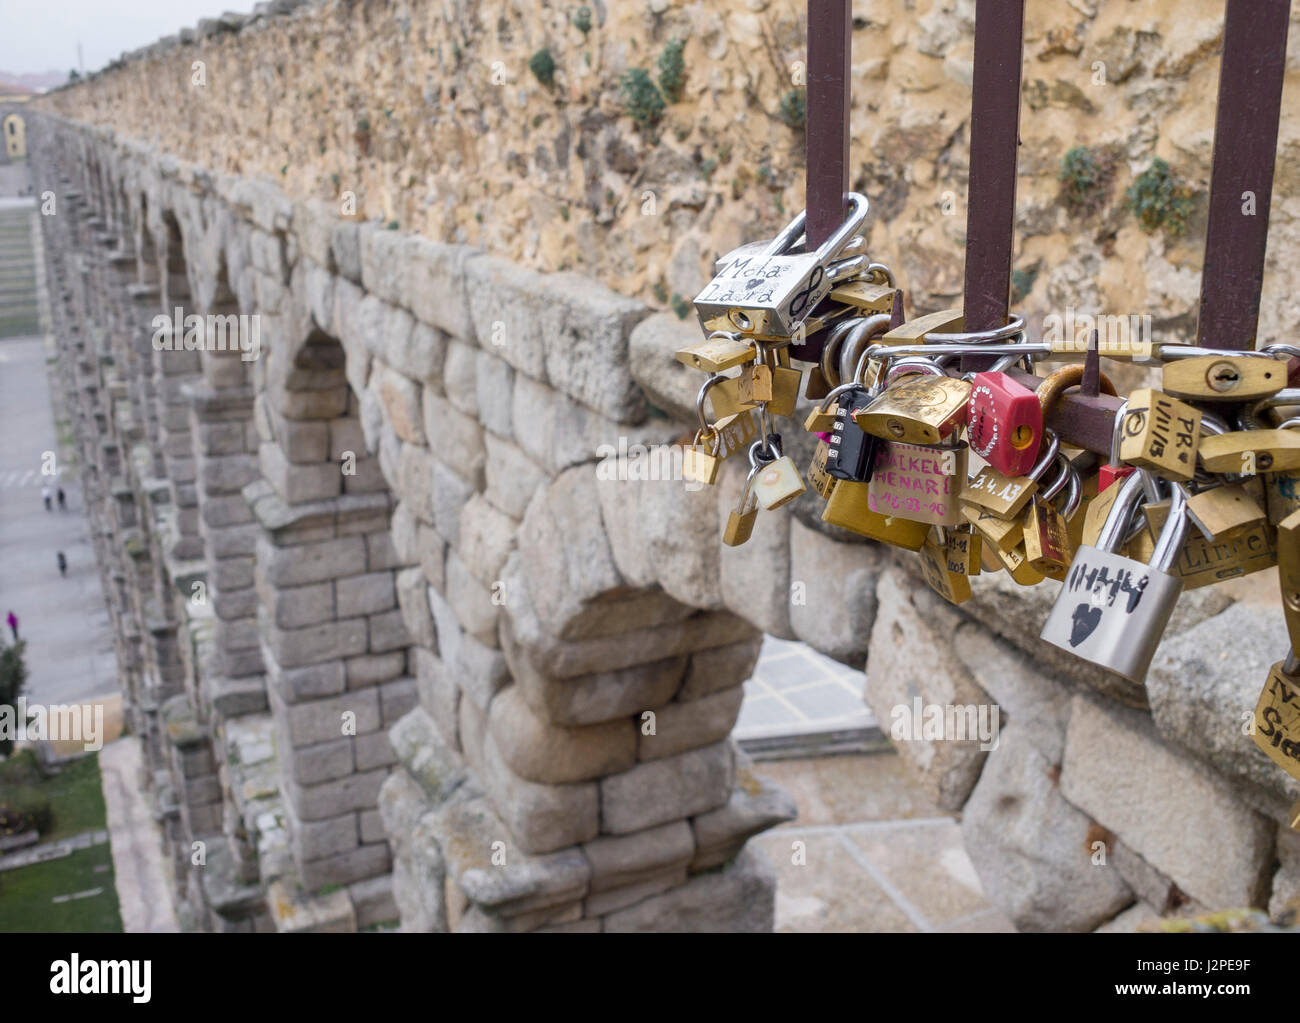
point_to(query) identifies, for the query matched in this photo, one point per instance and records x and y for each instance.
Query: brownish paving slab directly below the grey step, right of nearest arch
(850, 790)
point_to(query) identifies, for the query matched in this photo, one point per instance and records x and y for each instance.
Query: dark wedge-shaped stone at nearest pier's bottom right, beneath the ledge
(738, 900)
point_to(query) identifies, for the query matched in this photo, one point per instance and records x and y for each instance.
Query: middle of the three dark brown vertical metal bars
(995, 129)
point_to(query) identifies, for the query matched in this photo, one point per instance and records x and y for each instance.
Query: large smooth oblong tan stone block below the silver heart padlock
(1177, 816)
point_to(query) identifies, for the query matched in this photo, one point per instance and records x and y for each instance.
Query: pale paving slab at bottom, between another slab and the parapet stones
(926, 866)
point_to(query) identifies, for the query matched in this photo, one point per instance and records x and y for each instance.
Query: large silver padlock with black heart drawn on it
(1113, 610)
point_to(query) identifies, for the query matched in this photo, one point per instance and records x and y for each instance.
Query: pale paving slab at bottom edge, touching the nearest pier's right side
(830, 891)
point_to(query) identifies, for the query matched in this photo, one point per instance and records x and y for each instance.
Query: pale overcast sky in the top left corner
(42, 36)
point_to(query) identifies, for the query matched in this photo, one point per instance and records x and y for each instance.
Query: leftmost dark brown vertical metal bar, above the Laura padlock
(827, 119)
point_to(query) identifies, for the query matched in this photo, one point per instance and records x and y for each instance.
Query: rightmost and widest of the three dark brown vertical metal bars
(1246, 144)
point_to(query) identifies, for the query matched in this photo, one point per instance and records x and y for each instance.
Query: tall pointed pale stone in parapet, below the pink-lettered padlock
(912, 660)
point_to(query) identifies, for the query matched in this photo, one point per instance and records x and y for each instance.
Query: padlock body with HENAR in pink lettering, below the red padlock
(920, 483)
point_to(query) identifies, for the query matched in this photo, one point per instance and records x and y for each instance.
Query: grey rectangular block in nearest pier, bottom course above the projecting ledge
(662, 791)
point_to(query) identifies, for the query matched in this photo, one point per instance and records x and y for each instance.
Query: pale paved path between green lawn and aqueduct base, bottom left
(142, 886)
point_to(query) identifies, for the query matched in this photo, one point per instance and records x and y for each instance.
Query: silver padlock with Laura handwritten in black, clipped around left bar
(769, 294)
